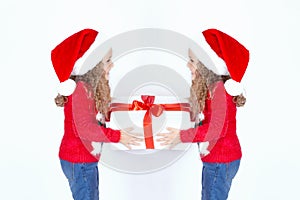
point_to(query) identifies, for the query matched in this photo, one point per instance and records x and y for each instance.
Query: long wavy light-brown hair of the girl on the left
(98, 85)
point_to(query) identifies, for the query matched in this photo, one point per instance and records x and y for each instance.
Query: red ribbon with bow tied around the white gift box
(151, 109)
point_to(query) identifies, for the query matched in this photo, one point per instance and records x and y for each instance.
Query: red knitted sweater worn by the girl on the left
(81, 129)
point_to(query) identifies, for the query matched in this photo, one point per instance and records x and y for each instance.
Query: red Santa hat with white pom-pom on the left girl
(65, 55)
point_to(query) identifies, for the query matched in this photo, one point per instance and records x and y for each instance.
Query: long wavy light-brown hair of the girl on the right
(202, 85)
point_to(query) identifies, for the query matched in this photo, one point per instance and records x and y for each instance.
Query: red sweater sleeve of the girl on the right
(215, 122)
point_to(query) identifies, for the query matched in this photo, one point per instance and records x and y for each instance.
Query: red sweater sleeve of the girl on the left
(84, 117)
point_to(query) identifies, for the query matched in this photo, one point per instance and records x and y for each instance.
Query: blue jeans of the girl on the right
(217, 179)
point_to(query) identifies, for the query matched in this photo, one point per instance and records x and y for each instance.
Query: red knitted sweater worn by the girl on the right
(224, 145)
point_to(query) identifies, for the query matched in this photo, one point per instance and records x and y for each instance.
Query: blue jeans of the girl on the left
(83, 179)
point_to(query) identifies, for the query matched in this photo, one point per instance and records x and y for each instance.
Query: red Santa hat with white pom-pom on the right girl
(234, 54)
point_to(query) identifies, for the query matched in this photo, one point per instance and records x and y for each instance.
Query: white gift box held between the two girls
(134, 119)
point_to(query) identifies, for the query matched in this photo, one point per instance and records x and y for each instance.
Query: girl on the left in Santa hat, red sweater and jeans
(81, 144)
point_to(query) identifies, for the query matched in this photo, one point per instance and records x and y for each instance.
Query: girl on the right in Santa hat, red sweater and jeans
(221, 159)
